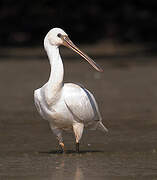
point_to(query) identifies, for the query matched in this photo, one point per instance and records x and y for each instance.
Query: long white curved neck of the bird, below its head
(55, 82)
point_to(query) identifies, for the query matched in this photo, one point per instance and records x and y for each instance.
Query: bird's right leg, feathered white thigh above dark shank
(78, 130)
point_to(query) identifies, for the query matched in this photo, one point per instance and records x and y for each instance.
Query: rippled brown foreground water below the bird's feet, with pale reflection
(93, 165)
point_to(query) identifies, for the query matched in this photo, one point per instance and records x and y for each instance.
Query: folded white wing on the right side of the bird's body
(81, 103)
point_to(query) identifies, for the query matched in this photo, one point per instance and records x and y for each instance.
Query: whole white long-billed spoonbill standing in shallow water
(66, 106)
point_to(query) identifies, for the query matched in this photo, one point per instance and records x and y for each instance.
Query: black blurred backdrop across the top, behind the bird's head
(26, 23)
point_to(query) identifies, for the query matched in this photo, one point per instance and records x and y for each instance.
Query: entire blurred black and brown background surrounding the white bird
(120, 35)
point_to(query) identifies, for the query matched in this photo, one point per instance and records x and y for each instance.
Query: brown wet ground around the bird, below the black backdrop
(126, 93)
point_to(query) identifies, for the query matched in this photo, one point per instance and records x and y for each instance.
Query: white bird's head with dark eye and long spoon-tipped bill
(57, 37)
